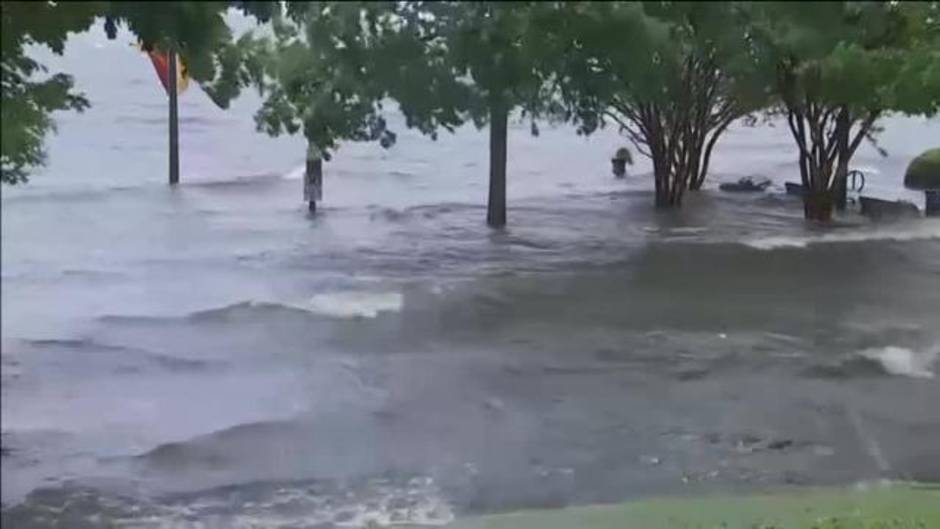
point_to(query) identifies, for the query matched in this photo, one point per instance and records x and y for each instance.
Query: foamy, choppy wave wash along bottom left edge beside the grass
(378, 502)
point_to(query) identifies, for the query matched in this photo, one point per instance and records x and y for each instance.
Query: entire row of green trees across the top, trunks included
(671, 76)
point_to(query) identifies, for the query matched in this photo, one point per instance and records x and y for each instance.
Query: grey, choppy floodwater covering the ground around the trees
(211, 356)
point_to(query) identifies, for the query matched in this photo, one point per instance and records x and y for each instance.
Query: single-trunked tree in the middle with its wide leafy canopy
(330, 67)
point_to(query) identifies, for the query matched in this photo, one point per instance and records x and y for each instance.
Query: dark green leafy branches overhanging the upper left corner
(197, 30)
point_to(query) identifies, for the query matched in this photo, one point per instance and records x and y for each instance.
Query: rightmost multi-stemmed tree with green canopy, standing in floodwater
(834, 69)
